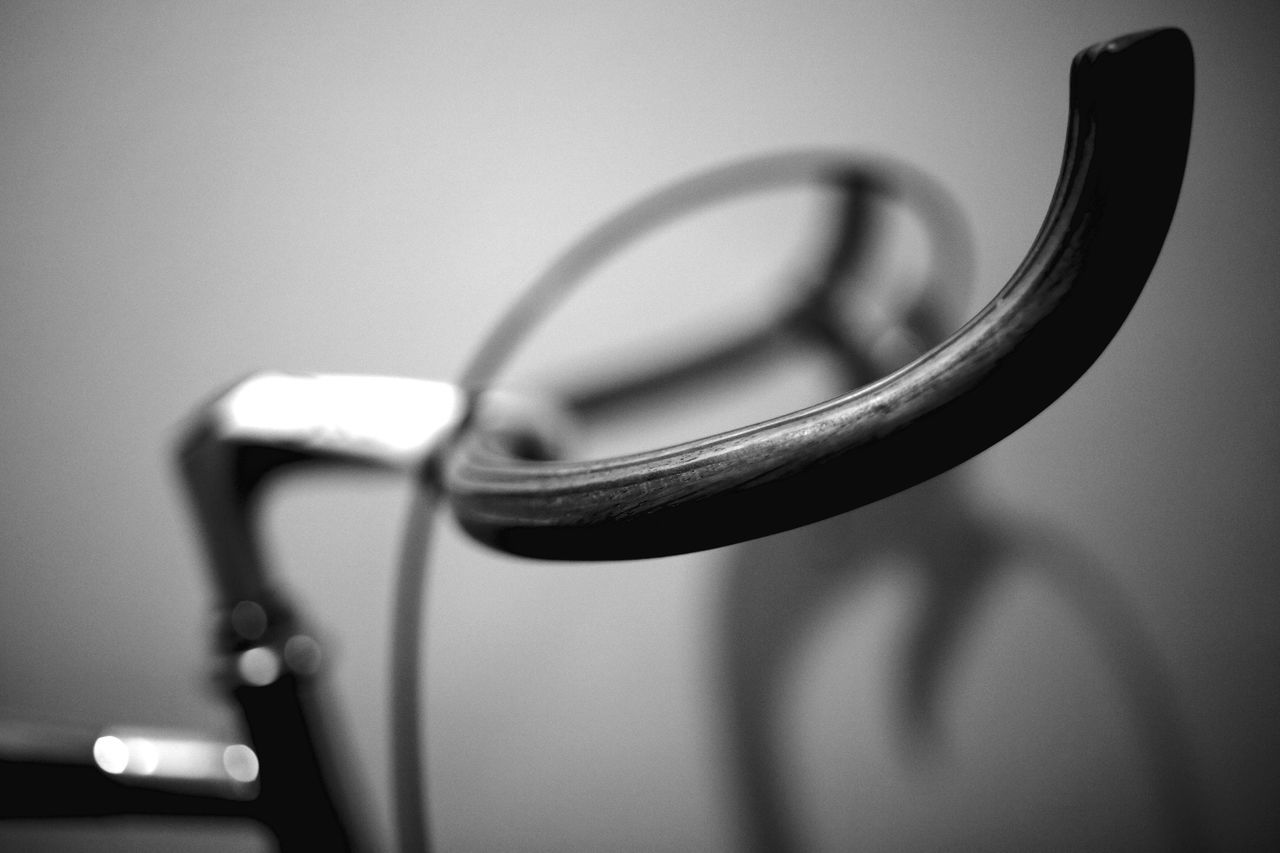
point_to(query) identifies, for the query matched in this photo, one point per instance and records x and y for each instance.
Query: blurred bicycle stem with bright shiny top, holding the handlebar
(275, 423)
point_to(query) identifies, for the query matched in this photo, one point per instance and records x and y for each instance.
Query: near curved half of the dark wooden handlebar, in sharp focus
(1130, 129)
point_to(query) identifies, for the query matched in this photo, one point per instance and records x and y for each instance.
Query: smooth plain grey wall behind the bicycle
(190, 193)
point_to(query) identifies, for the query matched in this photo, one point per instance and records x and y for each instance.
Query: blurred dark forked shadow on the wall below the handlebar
(779, 587)
